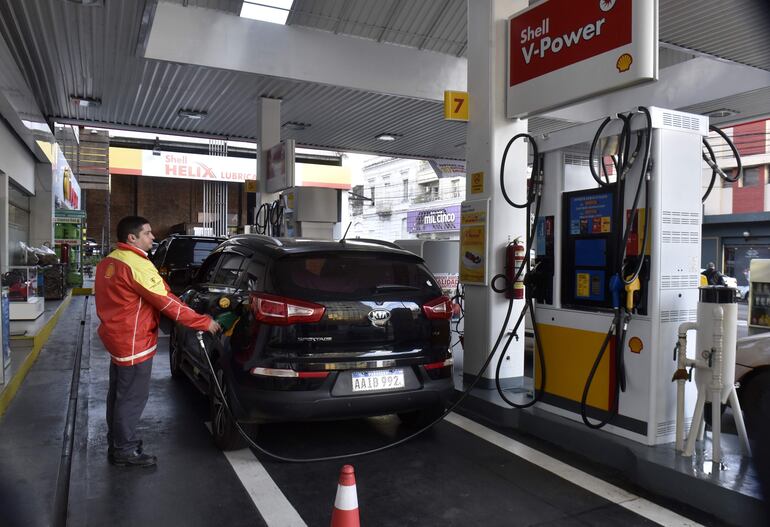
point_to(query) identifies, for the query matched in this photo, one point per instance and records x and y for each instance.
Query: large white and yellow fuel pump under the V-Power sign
(578, 246)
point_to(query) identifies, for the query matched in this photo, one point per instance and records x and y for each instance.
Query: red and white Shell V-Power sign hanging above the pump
(564, 51)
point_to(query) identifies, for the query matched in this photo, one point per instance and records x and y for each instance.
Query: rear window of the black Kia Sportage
(346, 276)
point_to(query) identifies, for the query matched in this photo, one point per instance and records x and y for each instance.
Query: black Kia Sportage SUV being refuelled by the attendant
(317, 330)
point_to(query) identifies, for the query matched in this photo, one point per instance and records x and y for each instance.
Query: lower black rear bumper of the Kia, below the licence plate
(256, 405)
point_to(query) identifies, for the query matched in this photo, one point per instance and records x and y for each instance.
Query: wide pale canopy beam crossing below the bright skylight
(218, 40)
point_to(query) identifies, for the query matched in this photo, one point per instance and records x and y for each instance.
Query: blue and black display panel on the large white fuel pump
(588, 248)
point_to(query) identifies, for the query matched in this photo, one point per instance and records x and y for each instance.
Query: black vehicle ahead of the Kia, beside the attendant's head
(179, 257)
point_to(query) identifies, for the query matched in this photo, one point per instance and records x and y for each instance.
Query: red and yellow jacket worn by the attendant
(130, 297)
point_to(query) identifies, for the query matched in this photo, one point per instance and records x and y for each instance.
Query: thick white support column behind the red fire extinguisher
(488, 133)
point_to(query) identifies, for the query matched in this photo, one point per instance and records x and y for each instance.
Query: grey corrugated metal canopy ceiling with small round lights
(64, 50)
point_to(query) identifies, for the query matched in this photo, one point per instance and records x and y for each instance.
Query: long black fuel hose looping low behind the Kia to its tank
(364, 452)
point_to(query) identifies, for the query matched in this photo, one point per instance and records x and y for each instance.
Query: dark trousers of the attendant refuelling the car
(126, 399)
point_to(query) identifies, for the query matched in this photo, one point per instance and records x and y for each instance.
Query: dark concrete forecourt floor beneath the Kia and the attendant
(447, 476)
